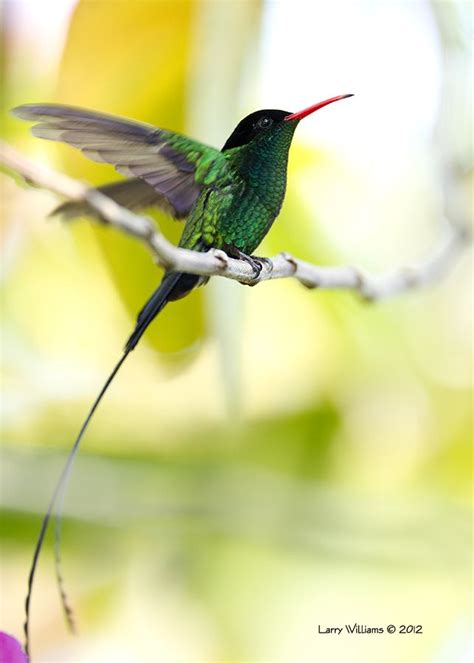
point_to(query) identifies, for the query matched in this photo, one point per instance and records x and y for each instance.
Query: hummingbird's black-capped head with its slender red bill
(266, 123)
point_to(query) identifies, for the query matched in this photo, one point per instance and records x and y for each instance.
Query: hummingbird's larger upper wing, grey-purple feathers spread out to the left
(175, 166)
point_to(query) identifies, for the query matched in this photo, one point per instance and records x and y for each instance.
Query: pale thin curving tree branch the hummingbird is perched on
(216, 263)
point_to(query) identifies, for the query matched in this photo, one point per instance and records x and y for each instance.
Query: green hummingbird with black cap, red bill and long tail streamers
(228, 198)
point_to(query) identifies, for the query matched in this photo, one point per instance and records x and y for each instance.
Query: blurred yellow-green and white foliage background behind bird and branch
(311, 463)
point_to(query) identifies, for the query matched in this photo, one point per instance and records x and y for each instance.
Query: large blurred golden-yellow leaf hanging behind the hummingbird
(144, 55)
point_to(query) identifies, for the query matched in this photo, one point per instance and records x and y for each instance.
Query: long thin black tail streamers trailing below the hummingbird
(57, 499)
